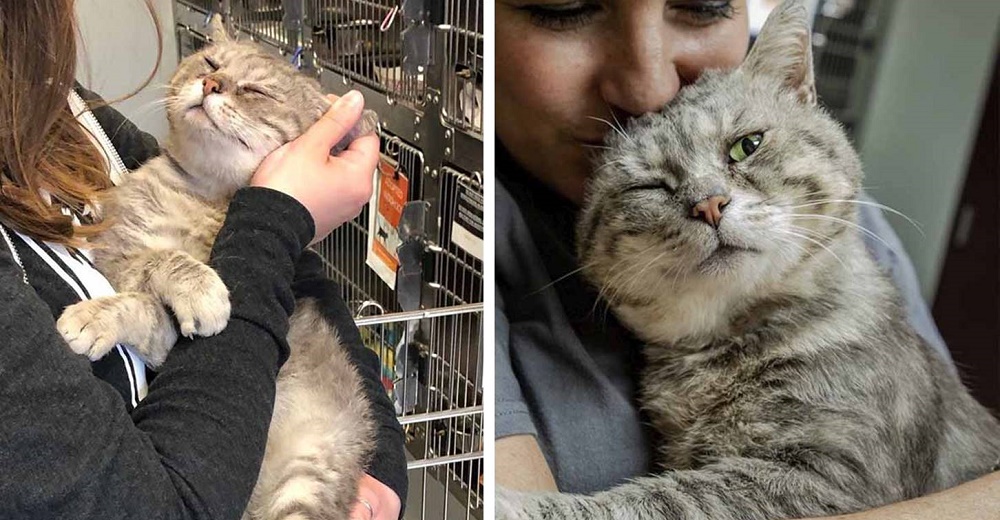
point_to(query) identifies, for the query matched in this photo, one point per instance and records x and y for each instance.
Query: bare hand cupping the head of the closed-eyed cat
(332, 188)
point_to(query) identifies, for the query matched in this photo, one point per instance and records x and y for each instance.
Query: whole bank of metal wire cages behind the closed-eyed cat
(419, 65)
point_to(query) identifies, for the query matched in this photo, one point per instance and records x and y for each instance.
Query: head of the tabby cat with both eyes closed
(234, 103)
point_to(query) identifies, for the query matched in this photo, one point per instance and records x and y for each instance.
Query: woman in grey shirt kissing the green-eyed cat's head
(567, 73)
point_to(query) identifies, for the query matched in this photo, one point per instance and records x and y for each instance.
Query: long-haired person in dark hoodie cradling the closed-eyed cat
(108, 439)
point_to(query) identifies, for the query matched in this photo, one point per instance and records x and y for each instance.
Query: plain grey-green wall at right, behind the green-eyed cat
(923, 118)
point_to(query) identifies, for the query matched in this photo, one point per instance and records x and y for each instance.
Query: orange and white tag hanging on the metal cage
(392, 189)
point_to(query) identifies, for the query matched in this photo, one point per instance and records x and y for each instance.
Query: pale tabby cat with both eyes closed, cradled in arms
(229, 106)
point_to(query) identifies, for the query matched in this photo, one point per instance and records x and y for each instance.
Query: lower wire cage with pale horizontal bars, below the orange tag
(436, 372)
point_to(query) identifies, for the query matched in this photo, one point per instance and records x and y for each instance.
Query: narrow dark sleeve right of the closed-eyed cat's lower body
(388, 464)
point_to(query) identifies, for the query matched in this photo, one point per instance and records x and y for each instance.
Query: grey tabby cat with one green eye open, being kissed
(781, 370)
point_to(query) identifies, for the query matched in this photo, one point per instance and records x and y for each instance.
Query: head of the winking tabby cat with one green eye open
(734, 184)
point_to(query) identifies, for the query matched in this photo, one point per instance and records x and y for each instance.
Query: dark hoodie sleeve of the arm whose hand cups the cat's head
(192, 448)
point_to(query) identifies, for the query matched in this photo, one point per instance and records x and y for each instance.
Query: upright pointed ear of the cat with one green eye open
(783, 49)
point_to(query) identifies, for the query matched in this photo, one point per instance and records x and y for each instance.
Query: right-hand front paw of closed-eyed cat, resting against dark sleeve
(203, 308)
